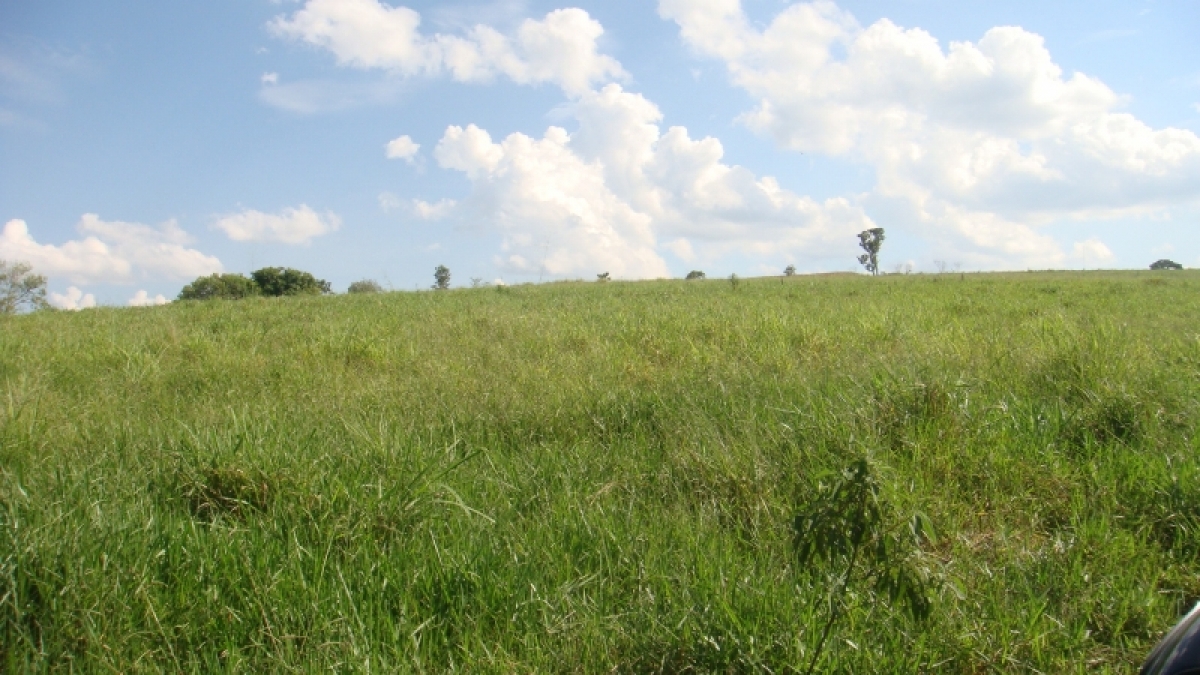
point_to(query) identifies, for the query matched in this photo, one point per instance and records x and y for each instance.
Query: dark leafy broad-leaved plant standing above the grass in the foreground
(850, 529)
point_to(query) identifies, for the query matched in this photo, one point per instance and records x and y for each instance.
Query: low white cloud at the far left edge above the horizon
(111, 253)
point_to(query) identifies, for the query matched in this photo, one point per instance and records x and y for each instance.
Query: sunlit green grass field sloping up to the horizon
(601, 477)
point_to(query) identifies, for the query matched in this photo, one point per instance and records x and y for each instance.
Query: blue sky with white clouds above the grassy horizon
(147, 144)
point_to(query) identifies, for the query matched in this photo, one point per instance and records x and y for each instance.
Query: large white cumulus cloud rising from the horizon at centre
(603, 198)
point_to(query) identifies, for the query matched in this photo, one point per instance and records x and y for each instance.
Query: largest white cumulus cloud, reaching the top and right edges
(989, 132)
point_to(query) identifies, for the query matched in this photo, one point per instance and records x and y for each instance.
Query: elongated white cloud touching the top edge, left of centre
(367, 34)
